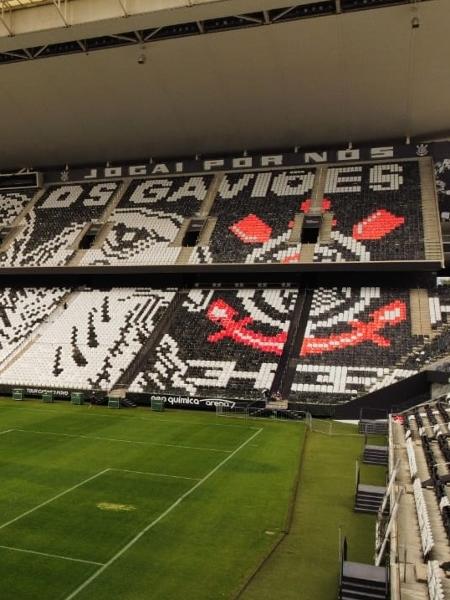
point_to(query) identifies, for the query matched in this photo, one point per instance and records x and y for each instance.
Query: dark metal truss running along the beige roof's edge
(319, 8)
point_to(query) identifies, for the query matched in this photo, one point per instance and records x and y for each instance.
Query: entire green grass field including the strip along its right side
(99, 504)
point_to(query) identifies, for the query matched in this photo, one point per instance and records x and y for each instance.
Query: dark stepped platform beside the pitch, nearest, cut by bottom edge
(360, 581)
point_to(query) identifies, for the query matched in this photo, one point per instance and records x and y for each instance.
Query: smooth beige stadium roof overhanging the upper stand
(360, 76)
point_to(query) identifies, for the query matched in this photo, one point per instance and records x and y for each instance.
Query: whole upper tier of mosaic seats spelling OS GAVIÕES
(375, 209)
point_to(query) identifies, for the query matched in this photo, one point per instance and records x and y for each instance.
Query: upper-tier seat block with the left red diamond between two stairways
(254, 215)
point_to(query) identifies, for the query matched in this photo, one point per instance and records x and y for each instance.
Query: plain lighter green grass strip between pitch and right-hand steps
(306, 562)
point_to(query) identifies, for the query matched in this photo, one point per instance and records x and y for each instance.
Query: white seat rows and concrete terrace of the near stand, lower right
(417, 428)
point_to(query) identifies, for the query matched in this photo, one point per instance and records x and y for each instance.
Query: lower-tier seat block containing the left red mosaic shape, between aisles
(220, 344)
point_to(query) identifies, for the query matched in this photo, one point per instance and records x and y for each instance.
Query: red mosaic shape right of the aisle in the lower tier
(389, 314)
